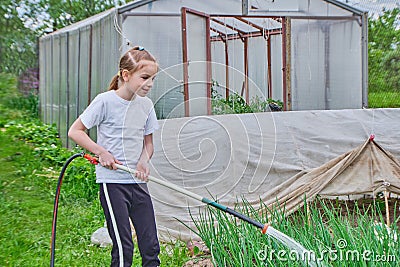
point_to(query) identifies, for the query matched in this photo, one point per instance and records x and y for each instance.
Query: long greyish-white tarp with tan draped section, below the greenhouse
(269, 156)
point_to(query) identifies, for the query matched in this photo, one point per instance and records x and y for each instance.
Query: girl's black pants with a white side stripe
(121, 202)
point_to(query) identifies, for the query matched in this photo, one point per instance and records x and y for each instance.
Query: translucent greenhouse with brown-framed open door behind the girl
(310, 55)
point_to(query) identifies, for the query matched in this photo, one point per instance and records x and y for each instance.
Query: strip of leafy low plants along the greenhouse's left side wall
(19, 119)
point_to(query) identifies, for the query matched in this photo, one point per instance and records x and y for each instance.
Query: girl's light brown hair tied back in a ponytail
(130, 61)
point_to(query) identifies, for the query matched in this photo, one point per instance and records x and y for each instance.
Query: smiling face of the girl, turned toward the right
(141, 81)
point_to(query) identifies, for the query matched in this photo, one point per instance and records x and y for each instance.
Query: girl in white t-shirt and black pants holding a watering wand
(125, 121)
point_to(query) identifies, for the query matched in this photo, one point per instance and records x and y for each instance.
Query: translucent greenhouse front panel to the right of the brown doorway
(325, 71)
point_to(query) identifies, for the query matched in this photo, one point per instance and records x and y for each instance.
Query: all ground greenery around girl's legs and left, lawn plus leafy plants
(31, 157)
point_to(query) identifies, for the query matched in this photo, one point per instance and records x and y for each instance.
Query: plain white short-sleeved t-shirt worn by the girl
(121, 127)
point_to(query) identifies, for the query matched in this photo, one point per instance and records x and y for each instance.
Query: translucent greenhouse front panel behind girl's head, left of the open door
(164, 43)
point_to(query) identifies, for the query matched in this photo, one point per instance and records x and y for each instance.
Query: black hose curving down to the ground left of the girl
(55, 209)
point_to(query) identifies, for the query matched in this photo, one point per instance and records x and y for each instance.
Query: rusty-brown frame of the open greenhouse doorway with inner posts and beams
(244, 36)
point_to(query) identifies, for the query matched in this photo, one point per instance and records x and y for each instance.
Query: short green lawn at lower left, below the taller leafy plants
(26, 214)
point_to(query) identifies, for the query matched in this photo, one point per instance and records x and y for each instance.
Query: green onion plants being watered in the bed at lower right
(336, 236)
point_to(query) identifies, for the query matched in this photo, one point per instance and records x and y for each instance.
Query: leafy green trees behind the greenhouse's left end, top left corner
(23, 22)
